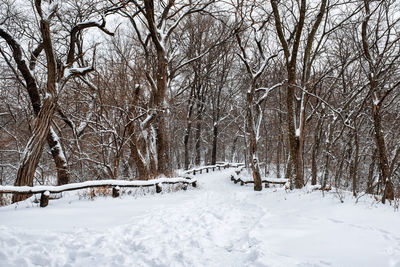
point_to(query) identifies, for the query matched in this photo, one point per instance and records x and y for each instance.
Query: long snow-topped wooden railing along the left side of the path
(45, 191)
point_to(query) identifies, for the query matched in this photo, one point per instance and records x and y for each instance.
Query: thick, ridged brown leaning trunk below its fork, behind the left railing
(34, 148)
